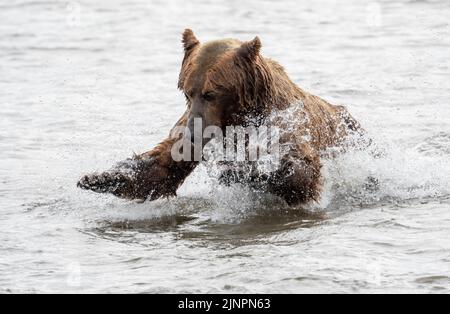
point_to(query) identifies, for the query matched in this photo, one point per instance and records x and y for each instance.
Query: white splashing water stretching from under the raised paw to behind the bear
(386, 173)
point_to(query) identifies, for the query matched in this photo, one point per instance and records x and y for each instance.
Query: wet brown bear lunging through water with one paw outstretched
(229, 83)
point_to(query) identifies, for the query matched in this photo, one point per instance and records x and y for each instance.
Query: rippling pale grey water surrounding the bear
(85, 83)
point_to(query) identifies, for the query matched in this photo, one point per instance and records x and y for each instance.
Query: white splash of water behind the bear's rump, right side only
(399, 174)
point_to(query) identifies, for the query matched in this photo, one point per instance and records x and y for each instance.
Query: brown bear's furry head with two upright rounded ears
(226, 82)
